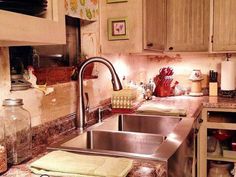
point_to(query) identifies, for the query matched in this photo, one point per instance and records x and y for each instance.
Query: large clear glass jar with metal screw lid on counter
(17, 130)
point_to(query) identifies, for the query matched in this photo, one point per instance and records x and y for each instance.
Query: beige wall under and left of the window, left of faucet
(43, 108)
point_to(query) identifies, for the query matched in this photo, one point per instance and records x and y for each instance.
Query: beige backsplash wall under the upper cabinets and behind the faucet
(141, 68)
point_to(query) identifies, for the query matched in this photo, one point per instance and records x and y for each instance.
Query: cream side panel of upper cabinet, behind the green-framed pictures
(132, 12)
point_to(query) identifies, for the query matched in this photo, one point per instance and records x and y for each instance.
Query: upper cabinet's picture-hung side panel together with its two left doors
(158, 25)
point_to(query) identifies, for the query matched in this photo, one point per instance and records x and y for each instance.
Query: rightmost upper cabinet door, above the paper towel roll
(224, 25)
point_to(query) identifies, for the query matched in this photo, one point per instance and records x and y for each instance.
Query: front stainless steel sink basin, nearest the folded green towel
(115, 143)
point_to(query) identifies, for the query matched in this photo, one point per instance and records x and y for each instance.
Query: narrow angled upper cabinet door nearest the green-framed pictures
(154, 24)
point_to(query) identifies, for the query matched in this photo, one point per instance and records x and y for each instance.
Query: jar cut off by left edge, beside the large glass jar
(3, 152)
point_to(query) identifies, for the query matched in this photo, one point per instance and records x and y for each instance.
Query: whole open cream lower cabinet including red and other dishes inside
(216, 136)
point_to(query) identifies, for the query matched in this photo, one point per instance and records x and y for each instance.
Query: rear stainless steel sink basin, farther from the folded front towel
(141, 123)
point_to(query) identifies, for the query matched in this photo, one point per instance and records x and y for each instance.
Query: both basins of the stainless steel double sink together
(130, 135)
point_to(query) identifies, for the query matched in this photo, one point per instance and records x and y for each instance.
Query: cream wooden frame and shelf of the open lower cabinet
(213, 118)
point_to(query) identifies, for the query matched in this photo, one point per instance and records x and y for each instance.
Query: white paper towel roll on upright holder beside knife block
(228, 84)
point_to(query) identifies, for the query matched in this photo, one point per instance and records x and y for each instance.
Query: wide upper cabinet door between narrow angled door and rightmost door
(187, 25)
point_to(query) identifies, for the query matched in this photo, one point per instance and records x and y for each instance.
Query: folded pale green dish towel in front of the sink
(61, 163)
